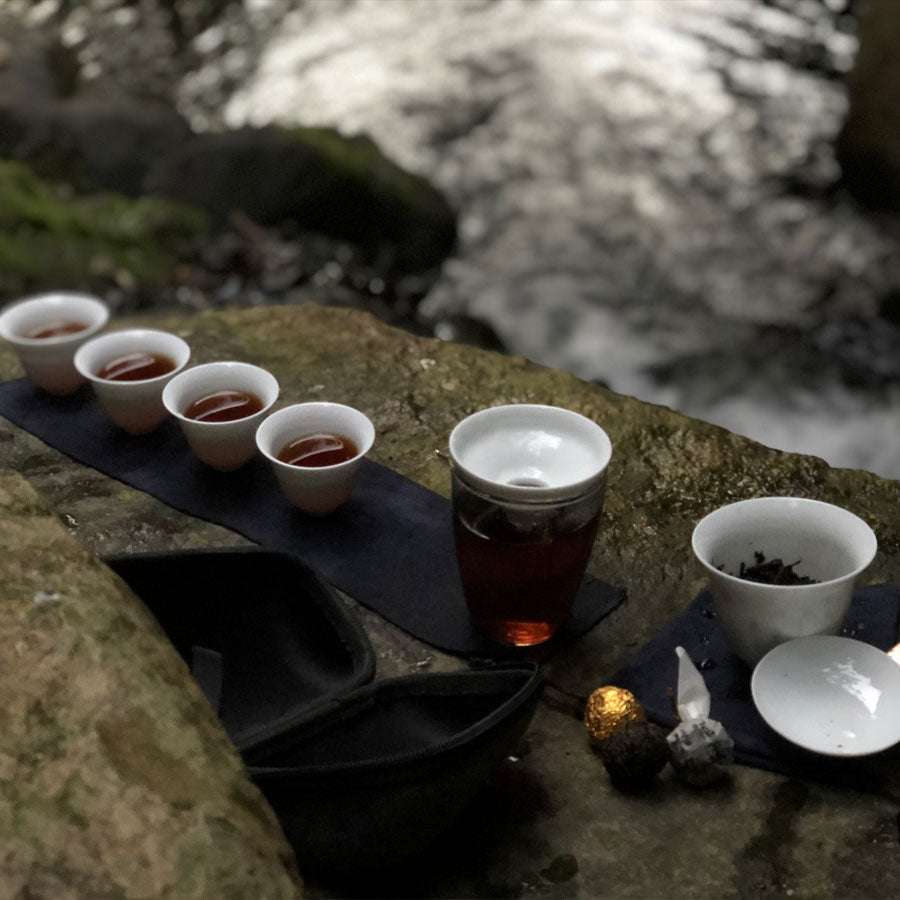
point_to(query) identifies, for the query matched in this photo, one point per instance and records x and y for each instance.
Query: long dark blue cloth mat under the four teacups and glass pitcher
(390, 548)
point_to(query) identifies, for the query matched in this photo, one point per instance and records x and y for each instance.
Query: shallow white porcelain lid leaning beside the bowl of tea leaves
(832, 695)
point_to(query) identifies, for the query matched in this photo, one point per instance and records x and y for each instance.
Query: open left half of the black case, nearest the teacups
(266, 639)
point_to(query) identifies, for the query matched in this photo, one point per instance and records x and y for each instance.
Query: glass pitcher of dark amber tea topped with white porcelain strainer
(528, 485)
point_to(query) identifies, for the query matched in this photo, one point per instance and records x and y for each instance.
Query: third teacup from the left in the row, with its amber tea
(219, 406)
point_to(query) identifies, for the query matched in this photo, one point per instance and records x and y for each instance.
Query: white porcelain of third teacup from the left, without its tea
(225, 446)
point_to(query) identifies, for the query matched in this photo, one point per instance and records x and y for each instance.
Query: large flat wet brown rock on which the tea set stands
(551, 824)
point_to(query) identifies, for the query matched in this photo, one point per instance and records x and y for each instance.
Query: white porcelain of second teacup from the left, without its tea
(135, 406)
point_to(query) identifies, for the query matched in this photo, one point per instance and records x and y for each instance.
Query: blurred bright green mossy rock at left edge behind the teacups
(50, 238)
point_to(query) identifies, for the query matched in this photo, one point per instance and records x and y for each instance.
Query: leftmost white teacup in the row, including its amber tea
(46, 330)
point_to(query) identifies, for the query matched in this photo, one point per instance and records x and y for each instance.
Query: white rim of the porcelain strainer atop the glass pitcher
(530, 493)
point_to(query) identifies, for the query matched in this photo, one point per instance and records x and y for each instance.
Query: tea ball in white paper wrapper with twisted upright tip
(699, 747)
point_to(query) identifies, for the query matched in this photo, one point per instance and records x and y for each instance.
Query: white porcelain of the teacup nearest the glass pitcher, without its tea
(317, 491)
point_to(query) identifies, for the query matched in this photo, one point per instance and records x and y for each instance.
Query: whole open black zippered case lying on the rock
(362, 773)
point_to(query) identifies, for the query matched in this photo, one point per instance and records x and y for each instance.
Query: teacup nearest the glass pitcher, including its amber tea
(315, 450)
